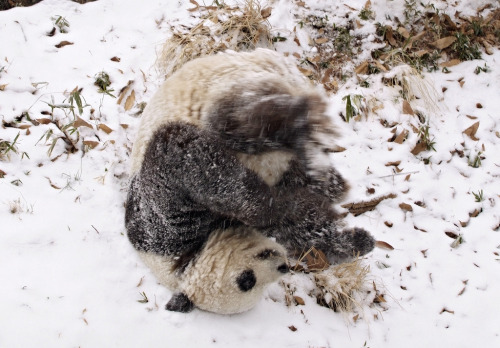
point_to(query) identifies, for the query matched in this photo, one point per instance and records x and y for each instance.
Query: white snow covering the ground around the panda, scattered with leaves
(70, 277)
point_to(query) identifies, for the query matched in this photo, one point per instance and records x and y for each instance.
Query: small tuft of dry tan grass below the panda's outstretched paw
(341, 286)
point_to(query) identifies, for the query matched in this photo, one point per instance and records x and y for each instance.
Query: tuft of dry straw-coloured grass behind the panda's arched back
(243, 27)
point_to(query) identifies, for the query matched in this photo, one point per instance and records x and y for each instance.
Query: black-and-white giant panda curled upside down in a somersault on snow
(228, 147)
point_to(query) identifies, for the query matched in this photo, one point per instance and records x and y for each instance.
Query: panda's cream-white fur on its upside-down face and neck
(210, 280)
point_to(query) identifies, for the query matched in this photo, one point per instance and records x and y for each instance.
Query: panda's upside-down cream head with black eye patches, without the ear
(233, 269)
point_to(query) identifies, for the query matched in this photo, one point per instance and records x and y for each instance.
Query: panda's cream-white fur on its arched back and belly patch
(189, 95)
